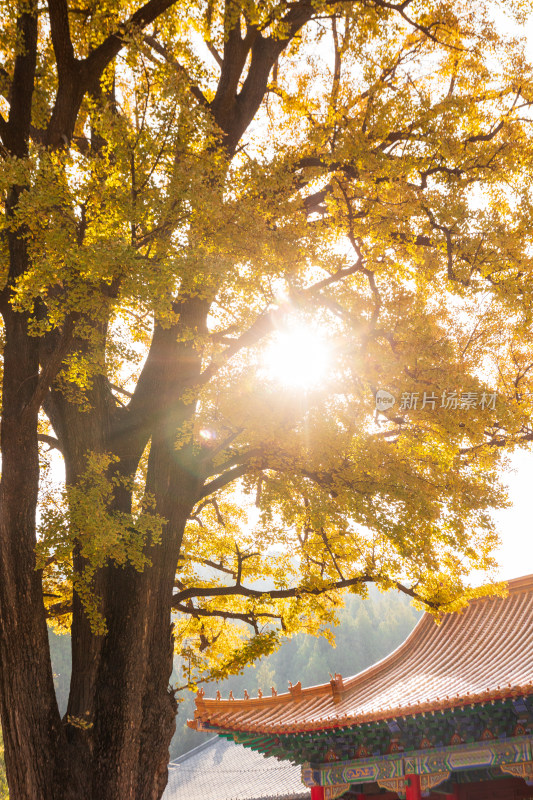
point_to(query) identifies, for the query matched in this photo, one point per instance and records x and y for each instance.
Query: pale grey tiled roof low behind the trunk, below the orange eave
(222, 770)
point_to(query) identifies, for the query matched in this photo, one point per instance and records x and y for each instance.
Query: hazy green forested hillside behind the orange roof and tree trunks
(367, 631)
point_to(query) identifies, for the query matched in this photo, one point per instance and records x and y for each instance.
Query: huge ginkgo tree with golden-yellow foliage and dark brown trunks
(266, 282)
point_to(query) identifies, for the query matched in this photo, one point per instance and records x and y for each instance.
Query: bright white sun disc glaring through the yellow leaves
(298, 357)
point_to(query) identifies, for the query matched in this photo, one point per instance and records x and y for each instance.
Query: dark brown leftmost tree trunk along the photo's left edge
(33, 737)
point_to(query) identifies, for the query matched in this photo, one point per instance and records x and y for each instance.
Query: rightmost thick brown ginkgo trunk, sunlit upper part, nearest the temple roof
(132, 740)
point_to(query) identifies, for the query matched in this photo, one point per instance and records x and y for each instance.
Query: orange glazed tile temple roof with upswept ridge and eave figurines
(481, 654)
